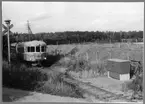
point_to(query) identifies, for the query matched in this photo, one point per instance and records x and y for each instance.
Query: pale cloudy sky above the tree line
(74, 16)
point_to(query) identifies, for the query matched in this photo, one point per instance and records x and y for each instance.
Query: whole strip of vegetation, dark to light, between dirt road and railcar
(22, 77)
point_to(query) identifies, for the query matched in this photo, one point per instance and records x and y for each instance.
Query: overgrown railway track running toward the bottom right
(94, 92)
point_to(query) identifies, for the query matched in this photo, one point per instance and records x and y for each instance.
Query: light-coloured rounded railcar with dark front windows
(31, 51)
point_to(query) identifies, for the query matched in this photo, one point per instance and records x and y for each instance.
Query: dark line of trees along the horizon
(77, 37)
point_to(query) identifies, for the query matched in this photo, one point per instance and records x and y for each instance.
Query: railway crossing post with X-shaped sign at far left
(7, 29)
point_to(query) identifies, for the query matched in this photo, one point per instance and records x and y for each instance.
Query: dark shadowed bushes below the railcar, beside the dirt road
(21, 77)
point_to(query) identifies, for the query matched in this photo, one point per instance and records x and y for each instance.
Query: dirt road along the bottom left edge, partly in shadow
(15, 95)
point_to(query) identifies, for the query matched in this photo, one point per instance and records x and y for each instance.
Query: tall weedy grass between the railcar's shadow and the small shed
(82, 68)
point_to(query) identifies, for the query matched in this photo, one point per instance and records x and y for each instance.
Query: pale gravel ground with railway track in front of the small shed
(103, 89)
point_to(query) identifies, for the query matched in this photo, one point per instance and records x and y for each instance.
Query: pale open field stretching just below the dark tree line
(101, 52)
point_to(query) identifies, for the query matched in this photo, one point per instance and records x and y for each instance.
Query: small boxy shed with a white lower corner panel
(118, 69)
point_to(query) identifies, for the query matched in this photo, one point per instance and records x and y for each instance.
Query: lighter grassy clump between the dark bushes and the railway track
(56, 86)
